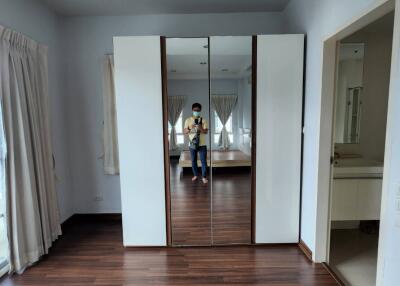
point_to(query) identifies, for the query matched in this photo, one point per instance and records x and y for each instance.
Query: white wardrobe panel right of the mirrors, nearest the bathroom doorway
(279, 111)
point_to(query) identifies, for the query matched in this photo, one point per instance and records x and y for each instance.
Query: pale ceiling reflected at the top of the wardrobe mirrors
(230, 57)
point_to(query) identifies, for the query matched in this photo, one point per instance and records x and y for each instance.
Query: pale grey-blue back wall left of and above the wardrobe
(87, 39)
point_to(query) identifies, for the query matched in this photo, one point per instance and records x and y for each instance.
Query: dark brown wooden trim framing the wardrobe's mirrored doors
(164, 79)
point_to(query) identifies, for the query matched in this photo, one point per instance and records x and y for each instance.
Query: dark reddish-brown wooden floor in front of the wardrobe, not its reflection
(91, 253)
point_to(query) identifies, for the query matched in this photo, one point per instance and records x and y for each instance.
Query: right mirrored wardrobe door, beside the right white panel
(231, 130)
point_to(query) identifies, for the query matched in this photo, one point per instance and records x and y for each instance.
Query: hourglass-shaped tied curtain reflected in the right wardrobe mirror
(224, 105)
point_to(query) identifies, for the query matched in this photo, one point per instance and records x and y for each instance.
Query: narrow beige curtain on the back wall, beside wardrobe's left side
(110, 136)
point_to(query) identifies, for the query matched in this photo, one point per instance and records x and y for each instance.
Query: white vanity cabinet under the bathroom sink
(356, 199)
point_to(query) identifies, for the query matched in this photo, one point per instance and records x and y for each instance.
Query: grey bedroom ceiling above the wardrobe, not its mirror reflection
(140, 7)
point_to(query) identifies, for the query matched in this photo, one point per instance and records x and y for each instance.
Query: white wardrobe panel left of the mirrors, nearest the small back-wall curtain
(139, 99)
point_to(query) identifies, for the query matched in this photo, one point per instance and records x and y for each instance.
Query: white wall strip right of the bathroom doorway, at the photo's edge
(389, 236)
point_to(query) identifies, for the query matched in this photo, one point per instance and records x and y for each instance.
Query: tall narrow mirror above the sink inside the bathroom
(349, 93)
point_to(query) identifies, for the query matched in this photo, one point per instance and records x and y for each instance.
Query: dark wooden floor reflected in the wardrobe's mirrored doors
(202, 217)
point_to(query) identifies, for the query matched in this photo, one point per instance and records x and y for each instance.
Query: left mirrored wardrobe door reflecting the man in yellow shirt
(188, 84)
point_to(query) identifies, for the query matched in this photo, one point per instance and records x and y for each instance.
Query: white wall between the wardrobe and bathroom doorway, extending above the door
(318, 19)
